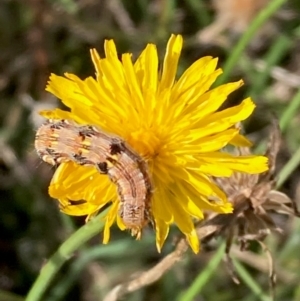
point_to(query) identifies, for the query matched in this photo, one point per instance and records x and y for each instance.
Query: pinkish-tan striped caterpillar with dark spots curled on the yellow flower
(60, 141)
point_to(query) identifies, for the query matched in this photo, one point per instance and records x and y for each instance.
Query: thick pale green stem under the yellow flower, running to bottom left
(65, 251)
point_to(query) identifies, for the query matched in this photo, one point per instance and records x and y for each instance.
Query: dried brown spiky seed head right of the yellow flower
(258, 198)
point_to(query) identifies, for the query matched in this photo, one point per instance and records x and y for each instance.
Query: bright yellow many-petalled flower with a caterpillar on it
(174, 125)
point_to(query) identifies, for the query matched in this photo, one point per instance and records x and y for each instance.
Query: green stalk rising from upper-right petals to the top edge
(236, 52)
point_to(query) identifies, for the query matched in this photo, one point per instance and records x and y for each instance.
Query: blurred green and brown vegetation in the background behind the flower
(38, 37)
